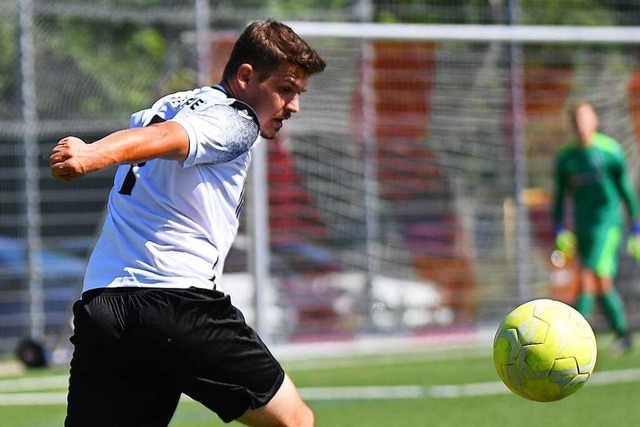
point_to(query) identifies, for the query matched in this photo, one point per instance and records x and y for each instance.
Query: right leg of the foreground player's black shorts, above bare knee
(221, 361)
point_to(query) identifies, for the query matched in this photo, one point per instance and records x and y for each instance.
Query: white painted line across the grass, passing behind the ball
(8, 397)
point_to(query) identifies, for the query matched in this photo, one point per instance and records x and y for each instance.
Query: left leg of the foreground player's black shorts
(108, 386)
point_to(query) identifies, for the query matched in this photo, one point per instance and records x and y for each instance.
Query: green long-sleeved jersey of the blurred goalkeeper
(595, 179)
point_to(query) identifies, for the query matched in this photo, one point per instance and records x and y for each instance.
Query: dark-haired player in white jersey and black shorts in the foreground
(150, 324)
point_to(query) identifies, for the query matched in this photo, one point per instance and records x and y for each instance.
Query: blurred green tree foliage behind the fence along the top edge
(126, 63)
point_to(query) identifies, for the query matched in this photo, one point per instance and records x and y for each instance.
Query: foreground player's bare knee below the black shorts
(285, 409)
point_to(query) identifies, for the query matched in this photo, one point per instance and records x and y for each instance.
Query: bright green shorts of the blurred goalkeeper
(598, 249)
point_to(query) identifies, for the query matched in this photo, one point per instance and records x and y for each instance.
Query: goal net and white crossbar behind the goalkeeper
(413, 189)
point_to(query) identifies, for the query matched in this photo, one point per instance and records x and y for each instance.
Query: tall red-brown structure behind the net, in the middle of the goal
(408, 172)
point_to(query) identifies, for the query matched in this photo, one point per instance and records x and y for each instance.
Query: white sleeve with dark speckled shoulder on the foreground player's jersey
(218, 132)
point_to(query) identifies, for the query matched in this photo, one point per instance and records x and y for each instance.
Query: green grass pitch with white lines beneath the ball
(454, 387)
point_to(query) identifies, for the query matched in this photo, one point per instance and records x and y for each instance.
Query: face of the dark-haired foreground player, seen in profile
(276, 98)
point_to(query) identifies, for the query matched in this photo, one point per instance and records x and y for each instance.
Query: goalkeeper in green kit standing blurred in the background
(591, 172)
